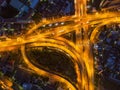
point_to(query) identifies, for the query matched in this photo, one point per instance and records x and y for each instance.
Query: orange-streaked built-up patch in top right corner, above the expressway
(103, 5)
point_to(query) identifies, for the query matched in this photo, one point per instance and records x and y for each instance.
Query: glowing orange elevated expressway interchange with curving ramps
(79, 51)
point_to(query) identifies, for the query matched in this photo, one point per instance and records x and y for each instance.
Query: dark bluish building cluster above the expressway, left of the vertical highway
(16, 15)
